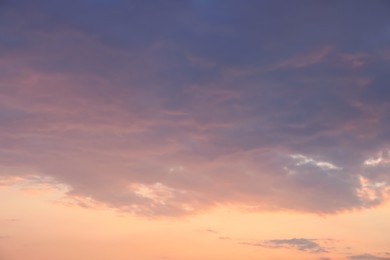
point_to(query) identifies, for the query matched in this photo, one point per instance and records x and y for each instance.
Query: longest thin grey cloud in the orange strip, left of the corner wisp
(301, 244)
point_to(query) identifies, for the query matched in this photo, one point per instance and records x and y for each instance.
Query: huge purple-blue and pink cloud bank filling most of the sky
(177, 114)
